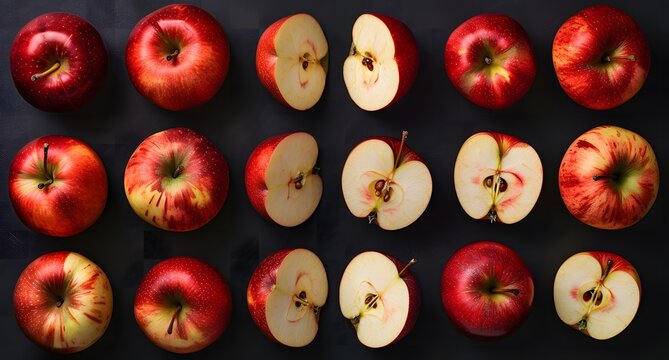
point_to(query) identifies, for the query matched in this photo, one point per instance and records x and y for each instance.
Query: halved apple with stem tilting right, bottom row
(381, 298)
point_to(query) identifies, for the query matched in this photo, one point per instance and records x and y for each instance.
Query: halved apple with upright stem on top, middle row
(386, 182)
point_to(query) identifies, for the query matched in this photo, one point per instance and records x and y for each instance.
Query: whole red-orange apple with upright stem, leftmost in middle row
(73, 201)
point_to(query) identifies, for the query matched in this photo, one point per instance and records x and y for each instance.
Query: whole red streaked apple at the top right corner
(580, 47)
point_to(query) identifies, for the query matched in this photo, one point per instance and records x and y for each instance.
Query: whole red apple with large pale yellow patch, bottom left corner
(85, 297)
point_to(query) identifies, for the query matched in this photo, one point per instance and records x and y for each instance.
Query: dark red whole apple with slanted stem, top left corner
(61, 38)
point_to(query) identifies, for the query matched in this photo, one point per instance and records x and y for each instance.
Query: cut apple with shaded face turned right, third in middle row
(282, 180)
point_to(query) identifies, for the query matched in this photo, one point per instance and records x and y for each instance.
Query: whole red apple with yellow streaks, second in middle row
(176, 180)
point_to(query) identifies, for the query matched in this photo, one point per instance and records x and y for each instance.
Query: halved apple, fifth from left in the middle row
(497, 177)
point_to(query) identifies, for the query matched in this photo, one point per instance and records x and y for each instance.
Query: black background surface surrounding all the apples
(438, 120)
